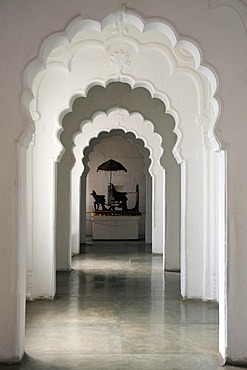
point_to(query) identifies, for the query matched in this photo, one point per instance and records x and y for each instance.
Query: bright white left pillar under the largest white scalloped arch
(44, 225)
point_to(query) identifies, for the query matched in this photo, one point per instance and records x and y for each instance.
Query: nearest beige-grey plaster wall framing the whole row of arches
(219, 27)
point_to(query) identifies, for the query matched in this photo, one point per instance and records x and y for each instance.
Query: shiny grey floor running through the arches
(118, 310)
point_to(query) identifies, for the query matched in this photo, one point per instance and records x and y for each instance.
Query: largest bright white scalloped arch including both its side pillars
(169, 69)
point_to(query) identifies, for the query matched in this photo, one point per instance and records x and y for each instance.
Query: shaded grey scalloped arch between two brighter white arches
(138, 100)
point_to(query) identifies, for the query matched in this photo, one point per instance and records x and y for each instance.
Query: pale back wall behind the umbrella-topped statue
(127, 153)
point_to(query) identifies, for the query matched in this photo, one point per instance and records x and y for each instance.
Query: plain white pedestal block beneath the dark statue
(115, 227)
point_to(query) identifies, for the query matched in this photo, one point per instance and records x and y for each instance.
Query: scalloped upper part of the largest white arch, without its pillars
(120, 42)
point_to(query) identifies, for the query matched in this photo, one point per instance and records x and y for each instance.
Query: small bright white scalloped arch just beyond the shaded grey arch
(121, 119)
